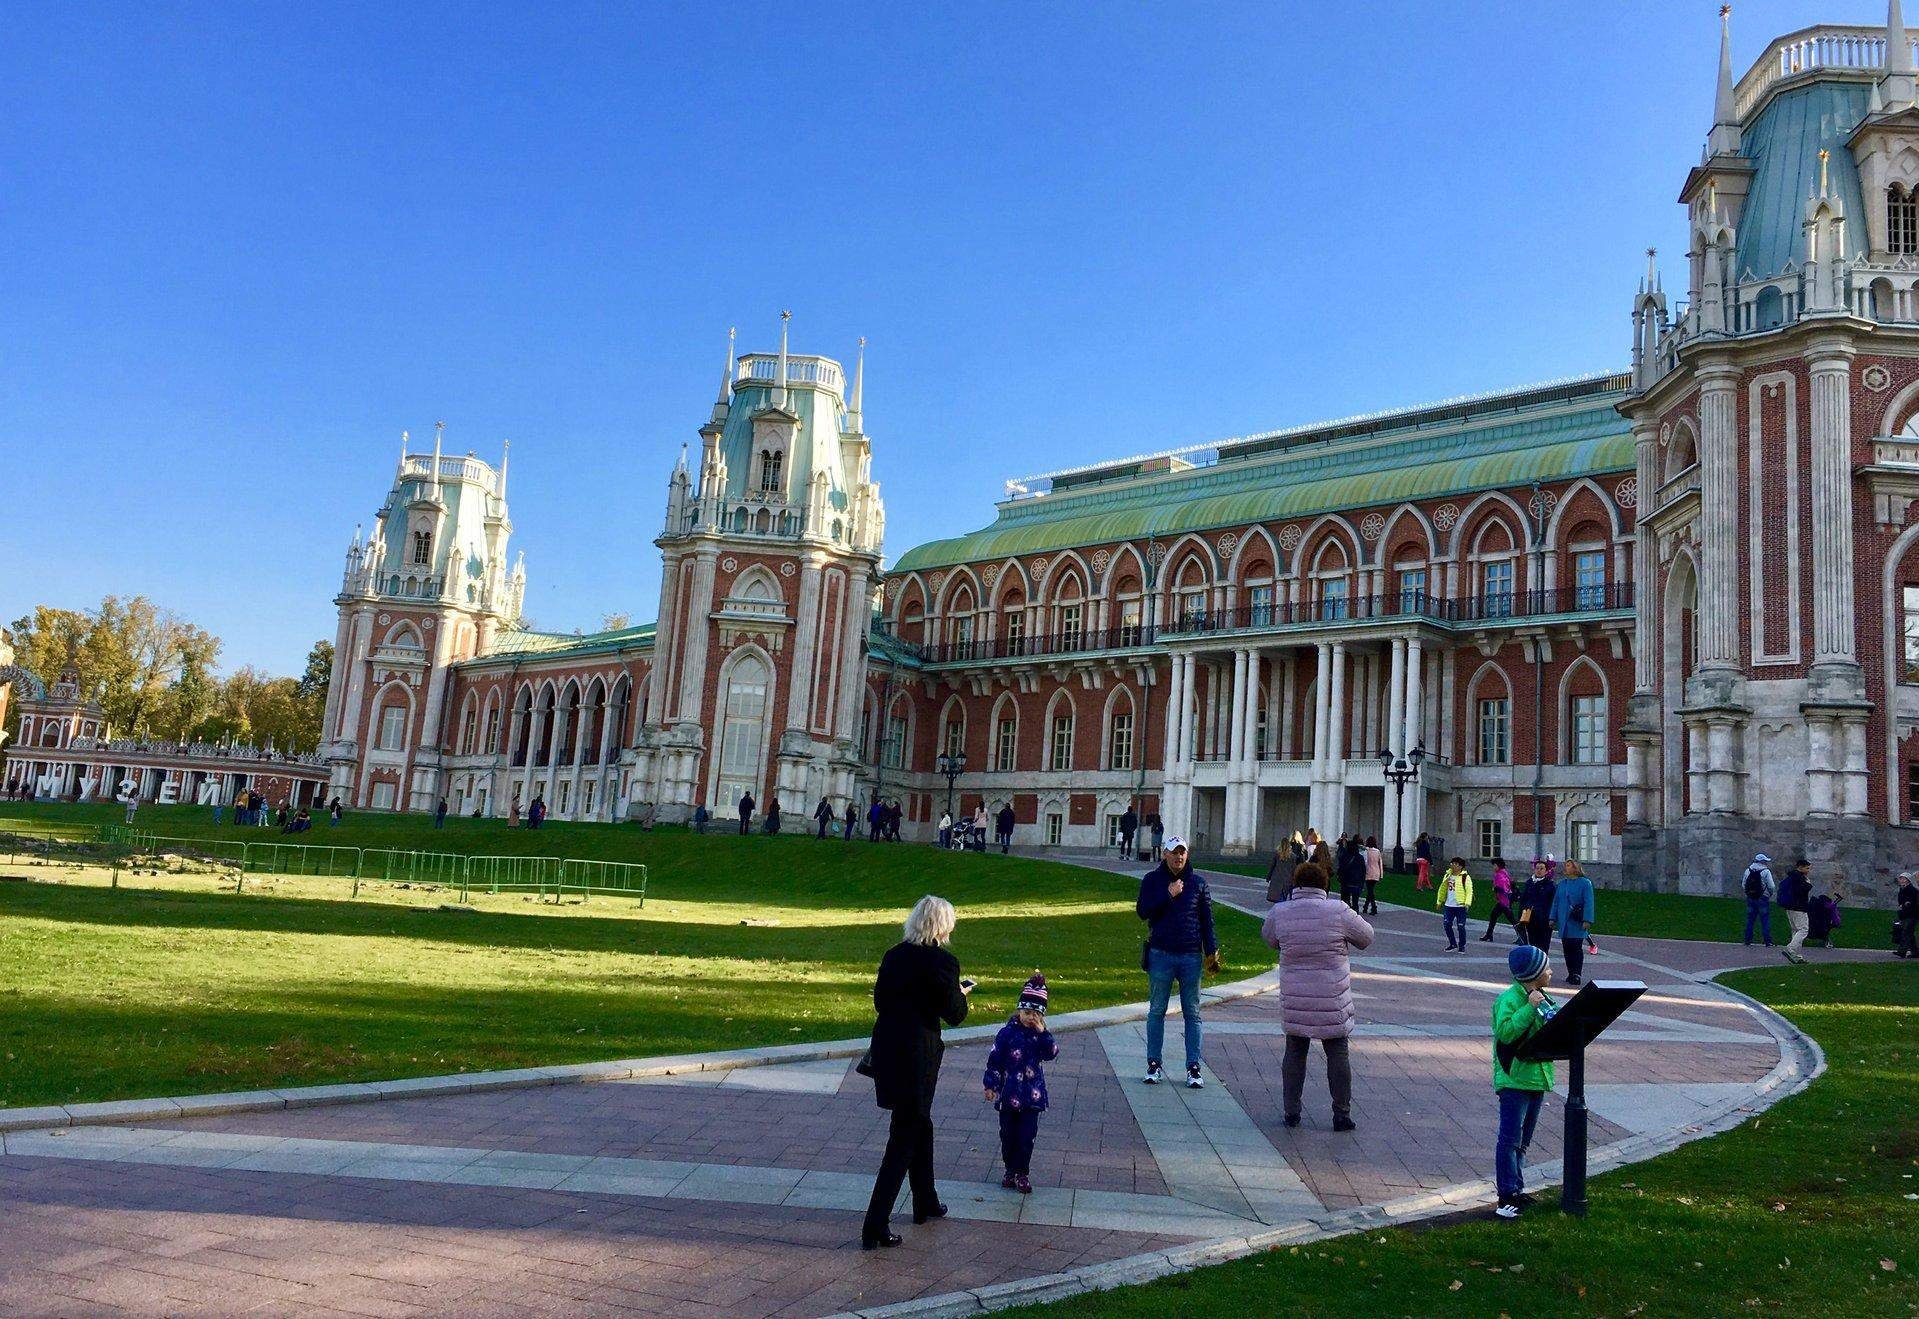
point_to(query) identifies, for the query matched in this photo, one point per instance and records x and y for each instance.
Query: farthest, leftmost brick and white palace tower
(425, 590)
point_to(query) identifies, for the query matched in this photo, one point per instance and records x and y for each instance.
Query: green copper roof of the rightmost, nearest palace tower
(1784, 145)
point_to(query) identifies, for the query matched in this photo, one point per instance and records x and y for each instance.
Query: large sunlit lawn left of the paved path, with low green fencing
(176, 986)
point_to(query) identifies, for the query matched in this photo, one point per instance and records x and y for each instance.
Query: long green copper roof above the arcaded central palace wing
(1496, 450)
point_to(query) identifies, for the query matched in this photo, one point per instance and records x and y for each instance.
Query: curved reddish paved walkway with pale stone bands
(736, 1189)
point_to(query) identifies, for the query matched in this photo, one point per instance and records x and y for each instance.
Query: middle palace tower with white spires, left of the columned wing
(765, 594)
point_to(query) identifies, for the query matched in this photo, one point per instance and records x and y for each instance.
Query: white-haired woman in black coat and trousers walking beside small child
(916, 992)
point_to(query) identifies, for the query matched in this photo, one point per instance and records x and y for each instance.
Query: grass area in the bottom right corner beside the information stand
(1811, 1211)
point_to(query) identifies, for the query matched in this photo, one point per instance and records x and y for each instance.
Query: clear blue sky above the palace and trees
(245, 247)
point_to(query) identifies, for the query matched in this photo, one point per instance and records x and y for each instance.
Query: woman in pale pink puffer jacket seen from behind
(1314, 934)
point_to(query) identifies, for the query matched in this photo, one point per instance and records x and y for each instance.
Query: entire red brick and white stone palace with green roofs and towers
(1653, 619)
